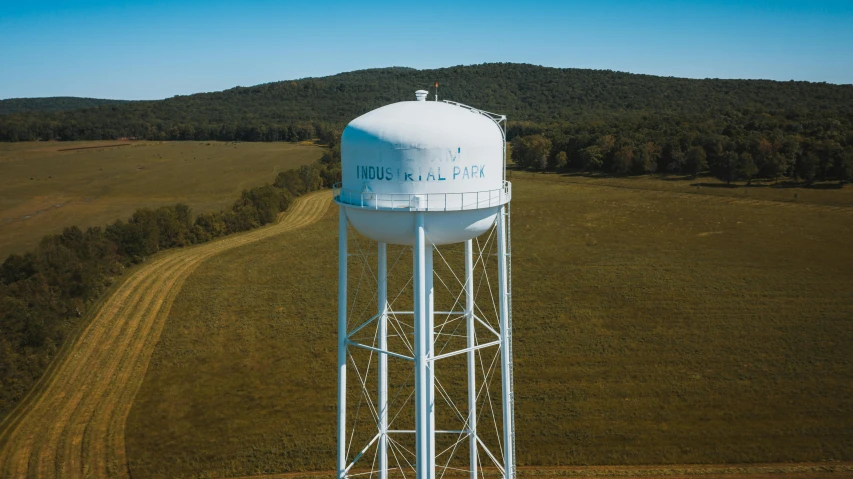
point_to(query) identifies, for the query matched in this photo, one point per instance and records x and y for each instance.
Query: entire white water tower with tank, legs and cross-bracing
(425, 177)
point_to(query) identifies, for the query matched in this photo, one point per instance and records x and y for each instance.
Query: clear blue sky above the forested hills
(157, 49)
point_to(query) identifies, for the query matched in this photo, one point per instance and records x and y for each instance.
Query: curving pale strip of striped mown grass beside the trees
(73, 424)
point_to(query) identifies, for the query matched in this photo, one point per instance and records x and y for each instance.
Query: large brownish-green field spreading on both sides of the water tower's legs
(652, 326)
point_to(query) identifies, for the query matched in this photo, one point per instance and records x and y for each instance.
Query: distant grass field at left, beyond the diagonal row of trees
(45, 186)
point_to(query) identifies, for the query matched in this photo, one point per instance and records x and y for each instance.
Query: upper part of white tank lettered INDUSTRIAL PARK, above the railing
(422, 147)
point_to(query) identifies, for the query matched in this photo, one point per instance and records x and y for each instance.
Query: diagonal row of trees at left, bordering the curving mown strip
(44, 293)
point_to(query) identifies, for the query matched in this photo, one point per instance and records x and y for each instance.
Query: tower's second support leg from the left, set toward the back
(382, 407)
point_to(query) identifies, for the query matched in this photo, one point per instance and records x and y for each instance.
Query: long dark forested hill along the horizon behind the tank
(531, 93)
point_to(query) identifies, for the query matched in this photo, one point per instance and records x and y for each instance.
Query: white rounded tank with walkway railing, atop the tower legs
(438, 158)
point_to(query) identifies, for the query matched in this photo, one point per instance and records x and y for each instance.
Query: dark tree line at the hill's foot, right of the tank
(738, 146)
